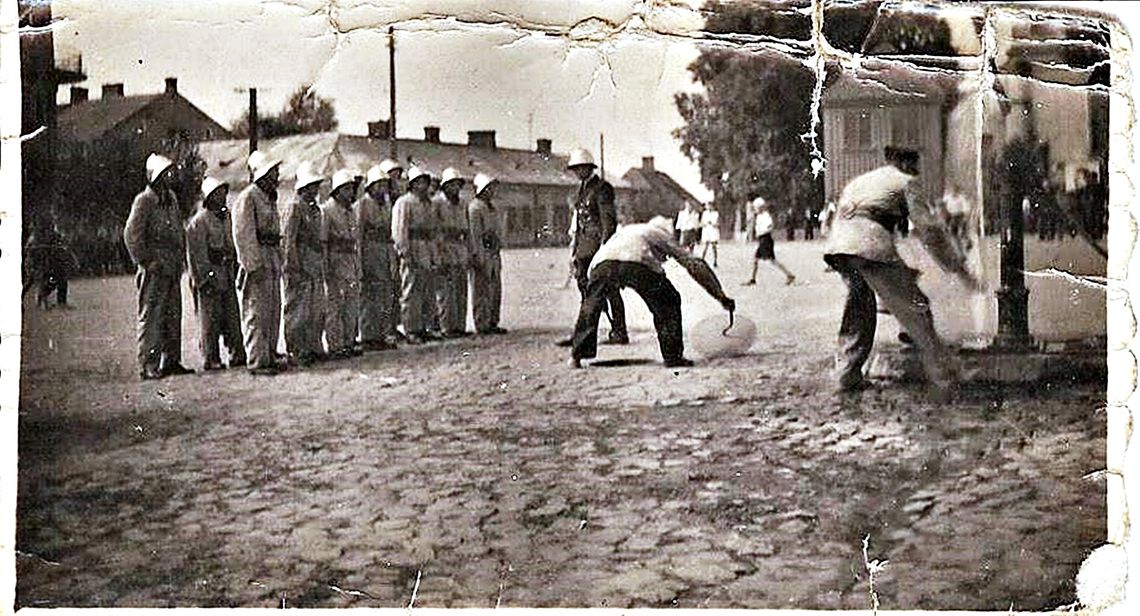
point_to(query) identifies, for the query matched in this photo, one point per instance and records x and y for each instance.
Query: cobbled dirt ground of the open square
(484, 473)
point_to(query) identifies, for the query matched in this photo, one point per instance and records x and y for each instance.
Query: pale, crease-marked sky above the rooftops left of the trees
(527, 69)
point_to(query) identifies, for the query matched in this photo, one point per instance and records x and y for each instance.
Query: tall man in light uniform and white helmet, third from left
(257, 239)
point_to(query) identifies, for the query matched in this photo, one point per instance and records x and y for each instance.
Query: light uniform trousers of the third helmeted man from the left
(262, 310)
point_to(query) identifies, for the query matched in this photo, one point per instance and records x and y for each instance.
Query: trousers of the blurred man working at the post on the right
(897, 286)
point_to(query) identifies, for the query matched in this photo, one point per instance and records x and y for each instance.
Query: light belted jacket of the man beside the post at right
(869, 209)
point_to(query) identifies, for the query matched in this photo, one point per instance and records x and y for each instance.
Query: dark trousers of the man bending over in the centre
(662, 298)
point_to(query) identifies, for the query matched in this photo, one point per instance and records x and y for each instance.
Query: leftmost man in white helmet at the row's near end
(157, 242)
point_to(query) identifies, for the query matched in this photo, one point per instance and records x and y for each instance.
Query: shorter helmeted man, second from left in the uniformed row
(214, 266)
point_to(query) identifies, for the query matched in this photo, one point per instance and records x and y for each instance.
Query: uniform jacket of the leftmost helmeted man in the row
(154, 233)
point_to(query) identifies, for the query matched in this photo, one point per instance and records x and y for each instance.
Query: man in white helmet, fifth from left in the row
(343, 268)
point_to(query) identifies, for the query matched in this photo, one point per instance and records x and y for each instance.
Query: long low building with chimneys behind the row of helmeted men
(534, 200)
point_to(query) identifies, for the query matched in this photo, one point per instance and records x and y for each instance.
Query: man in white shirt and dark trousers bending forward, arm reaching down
(632, 258)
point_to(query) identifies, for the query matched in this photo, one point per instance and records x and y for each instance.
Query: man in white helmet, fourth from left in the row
(304, 256)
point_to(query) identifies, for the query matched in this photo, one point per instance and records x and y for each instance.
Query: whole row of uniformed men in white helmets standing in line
(351, 270)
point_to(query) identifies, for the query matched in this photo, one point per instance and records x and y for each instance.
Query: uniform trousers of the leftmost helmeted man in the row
(160, 331)
